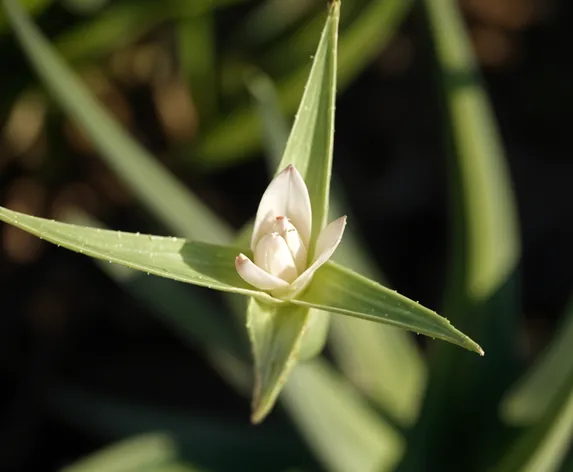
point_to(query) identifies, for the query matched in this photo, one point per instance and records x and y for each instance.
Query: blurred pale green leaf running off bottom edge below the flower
(327, 410)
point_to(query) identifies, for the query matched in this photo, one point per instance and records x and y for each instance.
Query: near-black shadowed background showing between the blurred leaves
(64, 321)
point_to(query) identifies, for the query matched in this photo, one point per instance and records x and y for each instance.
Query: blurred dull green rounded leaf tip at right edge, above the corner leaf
(529, 400)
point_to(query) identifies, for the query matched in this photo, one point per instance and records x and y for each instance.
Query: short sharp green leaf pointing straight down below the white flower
(276, 333)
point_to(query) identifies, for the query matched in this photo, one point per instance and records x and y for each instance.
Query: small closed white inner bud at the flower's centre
(273, 255)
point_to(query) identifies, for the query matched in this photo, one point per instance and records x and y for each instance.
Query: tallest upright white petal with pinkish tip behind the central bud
(286, 195)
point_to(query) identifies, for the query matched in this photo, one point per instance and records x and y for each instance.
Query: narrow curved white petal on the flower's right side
(325, 246)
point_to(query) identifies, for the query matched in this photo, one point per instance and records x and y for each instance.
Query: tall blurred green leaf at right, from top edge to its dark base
(481, 293)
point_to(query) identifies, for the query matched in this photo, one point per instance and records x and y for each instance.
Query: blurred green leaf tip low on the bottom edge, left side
(130, 455)
